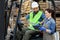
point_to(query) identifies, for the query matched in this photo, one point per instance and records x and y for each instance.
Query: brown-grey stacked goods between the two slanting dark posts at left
(13, 16)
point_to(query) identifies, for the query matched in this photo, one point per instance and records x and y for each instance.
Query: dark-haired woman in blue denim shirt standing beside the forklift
(49, 26)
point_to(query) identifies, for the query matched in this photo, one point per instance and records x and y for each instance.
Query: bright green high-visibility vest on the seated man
(34, 19)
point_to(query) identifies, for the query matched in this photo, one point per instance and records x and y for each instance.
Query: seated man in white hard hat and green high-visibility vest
(34, 18)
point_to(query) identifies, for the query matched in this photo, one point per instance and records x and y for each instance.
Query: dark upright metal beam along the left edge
(2, 3)
